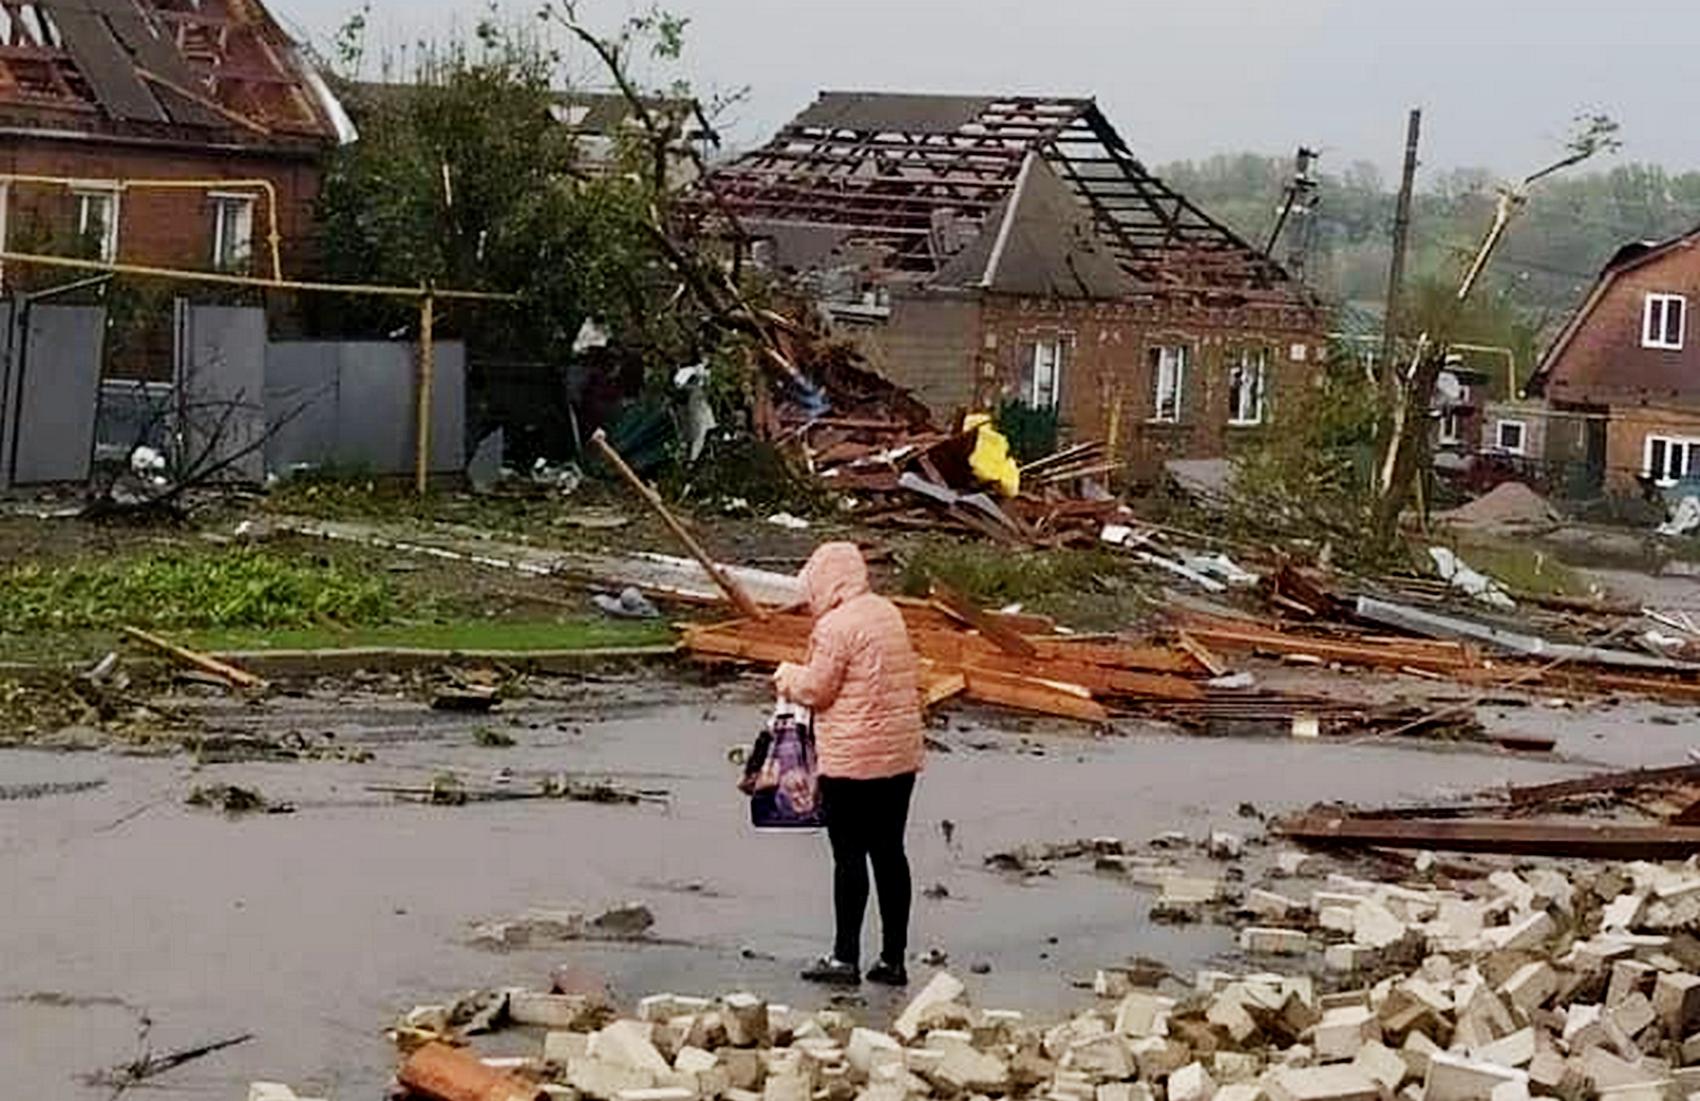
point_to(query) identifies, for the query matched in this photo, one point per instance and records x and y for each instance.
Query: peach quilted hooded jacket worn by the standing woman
(863, 677)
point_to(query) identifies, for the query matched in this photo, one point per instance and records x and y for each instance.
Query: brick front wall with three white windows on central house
(1109, 387)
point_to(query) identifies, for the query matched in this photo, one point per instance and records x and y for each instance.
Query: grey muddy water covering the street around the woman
(130, 920)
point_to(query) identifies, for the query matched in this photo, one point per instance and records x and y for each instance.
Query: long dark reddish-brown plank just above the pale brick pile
(1521, 838)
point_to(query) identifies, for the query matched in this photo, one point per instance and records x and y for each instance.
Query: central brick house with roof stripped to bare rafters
(990, 251)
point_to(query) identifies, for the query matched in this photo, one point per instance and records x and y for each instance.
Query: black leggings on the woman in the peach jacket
(864, 823)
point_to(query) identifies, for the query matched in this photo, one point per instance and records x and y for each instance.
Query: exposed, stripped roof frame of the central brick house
(919, 178)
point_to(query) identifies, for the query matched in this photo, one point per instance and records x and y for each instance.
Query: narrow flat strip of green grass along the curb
(451, 636)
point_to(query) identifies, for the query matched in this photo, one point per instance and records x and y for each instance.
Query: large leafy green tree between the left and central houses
(468, 179)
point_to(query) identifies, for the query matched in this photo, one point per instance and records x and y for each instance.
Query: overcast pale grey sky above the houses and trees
(1184, 79)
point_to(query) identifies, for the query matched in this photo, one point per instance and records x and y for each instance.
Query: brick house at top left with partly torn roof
(171, 133)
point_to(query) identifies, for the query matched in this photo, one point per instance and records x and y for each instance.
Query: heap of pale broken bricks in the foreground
(1533, 983)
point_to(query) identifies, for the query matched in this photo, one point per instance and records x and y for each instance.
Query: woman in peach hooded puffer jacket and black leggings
(863, 682)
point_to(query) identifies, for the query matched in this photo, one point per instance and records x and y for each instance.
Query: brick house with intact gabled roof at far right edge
(1623, 380)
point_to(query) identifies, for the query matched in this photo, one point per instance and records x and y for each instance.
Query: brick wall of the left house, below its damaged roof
(166, 229)
